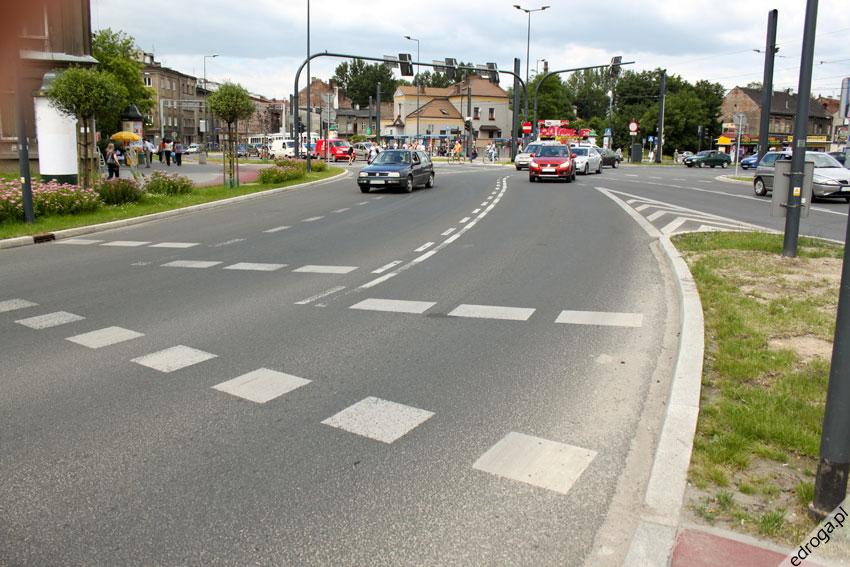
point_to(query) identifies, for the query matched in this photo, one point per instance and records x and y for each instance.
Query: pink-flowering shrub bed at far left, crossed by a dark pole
(48, 199)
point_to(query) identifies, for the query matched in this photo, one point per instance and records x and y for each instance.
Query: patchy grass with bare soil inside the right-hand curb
(769, 325)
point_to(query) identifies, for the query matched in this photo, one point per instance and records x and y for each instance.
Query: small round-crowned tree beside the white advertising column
(84, 93)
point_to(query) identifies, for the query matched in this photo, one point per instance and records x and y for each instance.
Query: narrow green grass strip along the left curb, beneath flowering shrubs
(151, 203)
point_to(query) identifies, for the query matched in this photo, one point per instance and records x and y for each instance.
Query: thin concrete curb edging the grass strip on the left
(90, 229)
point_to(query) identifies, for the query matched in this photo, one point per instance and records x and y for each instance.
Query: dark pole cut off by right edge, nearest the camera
(834, 465)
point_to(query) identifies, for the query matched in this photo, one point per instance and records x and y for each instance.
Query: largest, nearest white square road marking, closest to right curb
(539, 462)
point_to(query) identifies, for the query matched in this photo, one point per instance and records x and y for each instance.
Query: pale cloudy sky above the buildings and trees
(261, 43)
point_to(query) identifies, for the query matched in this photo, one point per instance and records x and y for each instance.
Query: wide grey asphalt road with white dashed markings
(467, 375)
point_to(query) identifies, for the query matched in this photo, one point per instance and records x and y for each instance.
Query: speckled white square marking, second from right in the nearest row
(379, 419)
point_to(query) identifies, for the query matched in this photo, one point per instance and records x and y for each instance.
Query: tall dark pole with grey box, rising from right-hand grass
(798, 157)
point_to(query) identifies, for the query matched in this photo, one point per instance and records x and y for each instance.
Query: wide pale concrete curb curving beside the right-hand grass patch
(655, 536)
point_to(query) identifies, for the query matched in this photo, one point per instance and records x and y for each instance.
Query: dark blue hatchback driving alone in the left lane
(397, 168)
